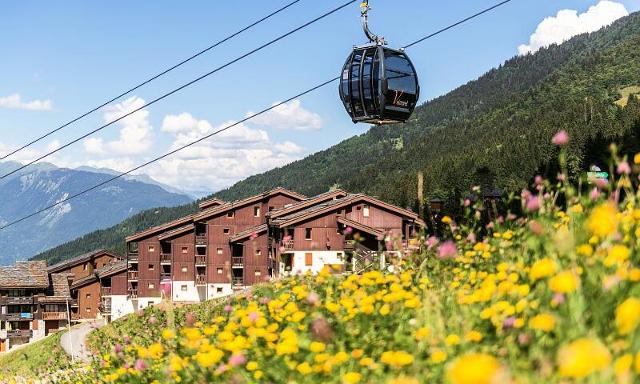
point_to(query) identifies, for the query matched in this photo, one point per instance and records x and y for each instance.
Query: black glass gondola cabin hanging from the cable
(379, 85)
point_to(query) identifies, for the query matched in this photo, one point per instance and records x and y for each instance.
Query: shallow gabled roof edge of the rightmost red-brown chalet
(331, 205)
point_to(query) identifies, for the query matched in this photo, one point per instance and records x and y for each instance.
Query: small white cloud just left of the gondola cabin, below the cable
(289, 116)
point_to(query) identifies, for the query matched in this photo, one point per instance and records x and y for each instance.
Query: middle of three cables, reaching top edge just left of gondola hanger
(251, 52)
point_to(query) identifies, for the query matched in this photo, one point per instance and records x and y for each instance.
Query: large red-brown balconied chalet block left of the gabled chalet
(189, 259)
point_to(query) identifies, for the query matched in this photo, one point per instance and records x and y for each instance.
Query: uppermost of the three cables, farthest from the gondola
(164, 72)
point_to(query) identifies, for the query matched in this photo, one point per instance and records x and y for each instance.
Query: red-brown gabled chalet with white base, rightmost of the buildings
(338, 232)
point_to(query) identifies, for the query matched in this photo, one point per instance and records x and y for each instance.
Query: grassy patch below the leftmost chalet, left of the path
(34, 360)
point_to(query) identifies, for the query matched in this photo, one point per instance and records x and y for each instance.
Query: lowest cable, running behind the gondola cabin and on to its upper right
(323, 84)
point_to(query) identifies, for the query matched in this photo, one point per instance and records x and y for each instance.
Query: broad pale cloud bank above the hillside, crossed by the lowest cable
(221, 160)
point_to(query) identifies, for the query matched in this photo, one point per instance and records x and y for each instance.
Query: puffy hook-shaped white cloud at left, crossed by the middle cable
(135, 132)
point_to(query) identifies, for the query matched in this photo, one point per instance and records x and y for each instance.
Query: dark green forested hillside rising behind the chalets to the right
(494, 131)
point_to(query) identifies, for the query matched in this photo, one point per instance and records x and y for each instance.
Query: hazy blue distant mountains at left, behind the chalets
(44, 184)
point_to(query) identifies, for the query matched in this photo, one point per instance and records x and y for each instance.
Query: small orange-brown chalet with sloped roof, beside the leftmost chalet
(86, 297)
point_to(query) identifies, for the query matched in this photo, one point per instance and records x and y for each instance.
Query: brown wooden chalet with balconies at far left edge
(33, 302)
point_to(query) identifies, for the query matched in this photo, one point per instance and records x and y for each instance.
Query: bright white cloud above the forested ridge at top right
(568, 23)
